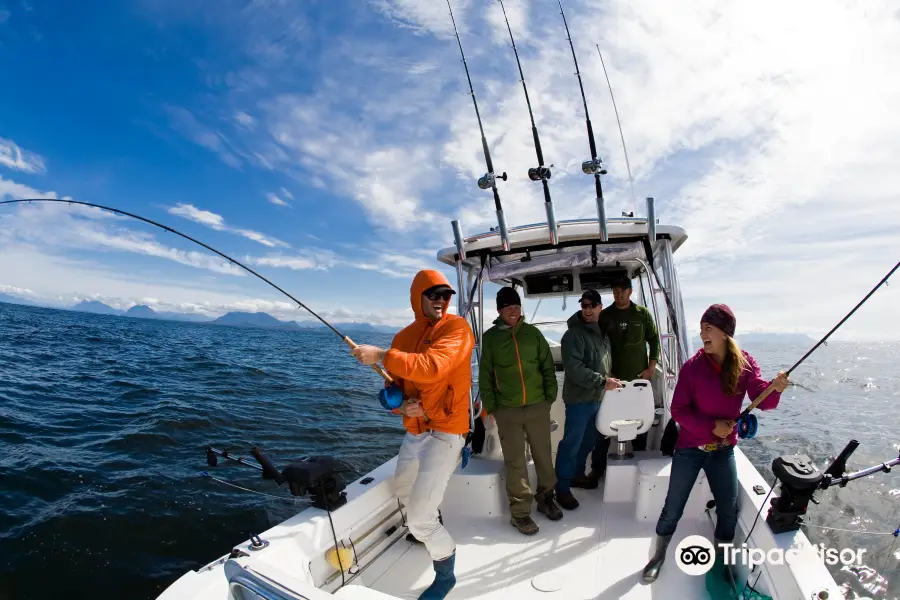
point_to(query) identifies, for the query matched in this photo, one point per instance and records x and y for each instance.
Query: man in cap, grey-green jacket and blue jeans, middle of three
(586, 360)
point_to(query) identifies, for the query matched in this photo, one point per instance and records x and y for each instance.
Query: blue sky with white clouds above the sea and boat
(330, 144)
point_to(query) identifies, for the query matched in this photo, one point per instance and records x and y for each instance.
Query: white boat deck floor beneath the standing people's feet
(594, 552)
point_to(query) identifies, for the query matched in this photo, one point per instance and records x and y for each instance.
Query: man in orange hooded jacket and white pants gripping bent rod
(430, 361)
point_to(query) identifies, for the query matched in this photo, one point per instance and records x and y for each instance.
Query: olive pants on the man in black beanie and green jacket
(516, 425)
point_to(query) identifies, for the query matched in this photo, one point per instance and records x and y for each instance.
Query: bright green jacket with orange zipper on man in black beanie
(516, 367)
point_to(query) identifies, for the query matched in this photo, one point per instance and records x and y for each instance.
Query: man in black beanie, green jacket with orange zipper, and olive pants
(517, 382)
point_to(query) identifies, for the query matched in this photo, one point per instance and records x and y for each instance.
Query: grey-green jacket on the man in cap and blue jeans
(586, 360)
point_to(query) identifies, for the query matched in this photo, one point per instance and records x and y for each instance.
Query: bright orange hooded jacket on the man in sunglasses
(431, 361)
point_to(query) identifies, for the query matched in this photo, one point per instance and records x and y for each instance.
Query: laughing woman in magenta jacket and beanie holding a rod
(706, 404)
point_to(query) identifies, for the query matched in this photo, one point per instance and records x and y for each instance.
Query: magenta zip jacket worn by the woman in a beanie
(698, 400)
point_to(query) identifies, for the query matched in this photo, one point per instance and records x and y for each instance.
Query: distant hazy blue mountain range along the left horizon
(234, 319)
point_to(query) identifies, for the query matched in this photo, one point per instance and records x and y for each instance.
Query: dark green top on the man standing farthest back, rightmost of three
(631, 330)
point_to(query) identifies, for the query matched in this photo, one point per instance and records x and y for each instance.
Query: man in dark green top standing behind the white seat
(631, 329)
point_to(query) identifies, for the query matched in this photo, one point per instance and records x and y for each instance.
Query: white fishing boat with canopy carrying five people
(358, 549)
